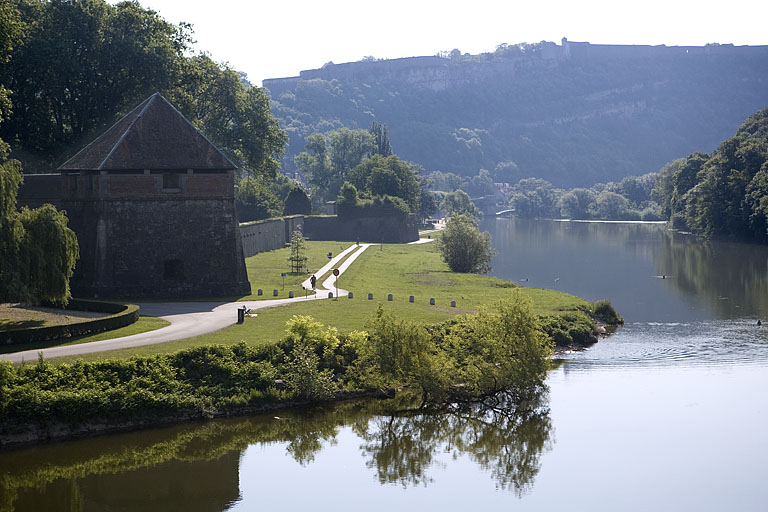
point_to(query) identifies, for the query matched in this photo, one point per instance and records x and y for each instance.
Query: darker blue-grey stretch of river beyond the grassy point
(623, 262)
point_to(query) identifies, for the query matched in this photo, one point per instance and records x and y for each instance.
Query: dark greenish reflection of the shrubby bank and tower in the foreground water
(196, 467)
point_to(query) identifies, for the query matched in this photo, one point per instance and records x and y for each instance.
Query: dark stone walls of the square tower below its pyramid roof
(148, 235)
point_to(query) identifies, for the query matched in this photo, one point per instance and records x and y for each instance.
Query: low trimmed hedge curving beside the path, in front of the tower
(120, 316)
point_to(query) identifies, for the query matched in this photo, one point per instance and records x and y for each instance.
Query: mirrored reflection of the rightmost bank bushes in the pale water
(503, 439)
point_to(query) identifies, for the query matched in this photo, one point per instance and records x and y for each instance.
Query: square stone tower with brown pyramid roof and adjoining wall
(152, 203)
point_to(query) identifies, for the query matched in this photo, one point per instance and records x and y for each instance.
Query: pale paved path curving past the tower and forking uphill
(191, 318)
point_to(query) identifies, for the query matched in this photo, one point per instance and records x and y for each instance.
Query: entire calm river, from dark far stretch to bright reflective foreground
(669, 413)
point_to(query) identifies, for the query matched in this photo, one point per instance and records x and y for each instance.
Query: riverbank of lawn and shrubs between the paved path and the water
(445, 353)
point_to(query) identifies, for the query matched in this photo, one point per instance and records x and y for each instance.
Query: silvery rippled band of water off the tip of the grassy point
(677, 344)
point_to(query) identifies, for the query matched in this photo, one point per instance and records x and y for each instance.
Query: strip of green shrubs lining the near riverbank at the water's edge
(502, 348)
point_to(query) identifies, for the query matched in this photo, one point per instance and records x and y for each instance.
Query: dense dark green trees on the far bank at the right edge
(725, 193)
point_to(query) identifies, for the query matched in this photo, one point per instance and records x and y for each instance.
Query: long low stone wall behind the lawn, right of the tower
(271, 234)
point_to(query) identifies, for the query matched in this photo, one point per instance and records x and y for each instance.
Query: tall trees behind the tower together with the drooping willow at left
(69, 70)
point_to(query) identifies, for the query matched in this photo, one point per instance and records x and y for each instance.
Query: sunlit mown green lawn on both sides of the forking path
(402, 270)
